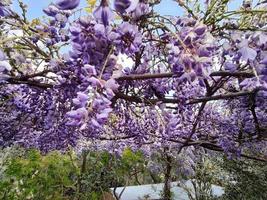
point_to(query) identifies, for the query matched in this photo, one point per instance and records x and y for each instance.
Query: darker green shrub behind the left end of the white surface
(103, 171)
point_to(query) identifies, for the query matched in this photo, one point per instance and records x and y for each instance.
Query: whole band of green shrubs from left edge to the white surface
(30, 175)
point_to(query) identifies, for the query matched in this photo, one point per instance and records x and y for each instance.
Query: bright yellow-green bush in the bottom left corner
(34, 176)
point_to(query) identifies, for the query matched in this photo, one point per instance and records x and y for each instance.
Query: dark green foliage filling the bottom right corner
(240, 179)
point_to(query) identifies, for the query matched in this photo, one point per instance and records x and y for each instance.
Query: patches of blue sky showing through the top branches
(167, 7)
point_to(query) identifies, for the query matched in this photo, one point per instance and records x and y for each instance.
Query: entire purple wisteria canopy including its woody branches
(126, 76)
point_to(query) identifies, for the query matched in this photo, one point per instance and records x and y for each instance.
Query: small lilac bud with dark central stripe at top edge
(103, 14)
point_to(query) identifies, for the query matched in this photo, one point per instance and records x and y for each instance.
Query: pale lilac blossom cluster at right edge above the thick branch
(247, 49)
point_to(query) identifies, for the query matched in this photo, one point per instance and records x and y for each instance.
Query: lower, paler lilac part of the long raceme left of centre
(92, 108)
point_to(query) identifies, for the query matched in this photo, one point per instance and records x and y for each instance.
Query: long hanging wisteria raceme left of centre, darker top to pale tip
(91, 46)
